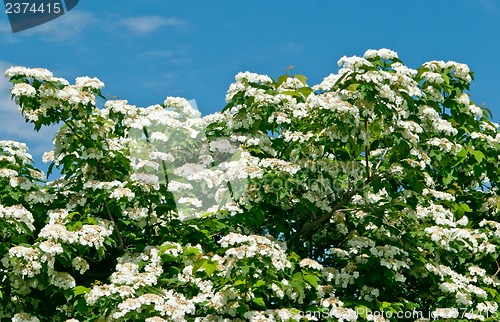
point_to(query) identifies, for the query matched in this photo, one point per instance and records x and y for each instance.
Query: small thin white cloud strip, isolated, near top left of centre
(149, 24)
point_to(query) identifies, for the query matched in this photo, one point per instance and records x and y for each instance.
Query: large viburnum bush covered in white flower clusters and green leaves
(370, 196)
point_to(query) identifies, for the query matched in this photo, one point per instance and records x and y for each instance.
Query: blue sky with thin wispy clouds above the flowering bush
(146, 50)
